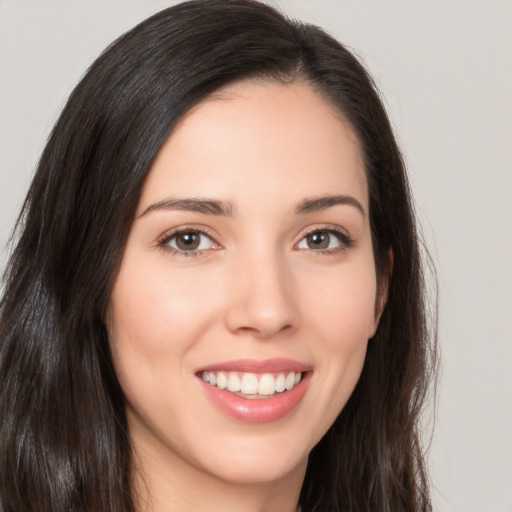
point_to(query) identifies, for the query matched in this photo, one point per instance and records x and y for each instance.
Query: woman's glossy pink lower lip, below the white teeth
(257, 410)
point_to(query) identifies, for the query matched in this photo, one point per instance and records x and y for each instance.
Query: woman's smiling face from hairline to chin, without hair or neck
(246, 295)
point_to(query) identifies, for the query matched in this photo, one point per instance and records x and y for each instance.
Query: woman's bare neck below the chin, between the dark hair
(166, 483)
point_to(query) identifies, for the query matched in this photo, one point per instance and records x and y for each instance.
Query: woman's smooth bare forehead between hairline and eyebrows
(279, 140)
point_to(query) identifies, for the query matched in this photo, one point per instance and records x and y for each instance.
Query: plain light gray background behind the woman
(445, 69)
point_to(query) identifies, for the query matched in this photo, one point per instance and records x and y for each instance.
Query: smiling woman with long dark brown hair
(227, 307)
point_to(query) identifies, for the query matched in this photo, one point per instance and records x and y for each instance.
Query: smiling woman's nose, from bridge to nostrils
(262, 302)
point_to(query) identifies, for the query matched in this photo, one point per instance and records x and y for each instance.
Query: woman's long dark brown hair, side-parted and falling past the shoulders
(64, 444)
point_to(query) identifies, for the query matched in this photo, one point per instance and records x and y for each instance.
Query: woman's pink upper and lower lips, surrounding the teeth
(259, 410)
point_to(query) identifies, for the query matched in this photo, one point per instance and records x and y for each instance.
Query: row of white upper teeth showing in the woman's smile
(252, 384)
